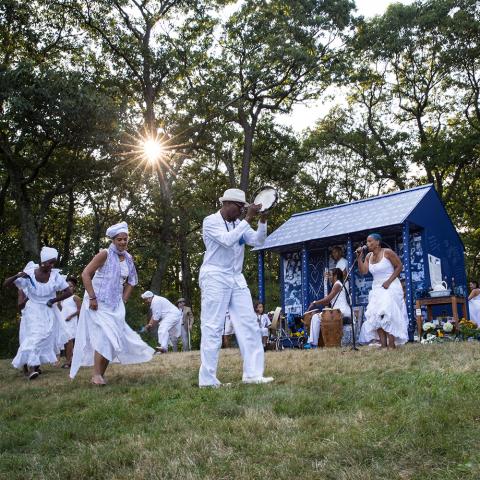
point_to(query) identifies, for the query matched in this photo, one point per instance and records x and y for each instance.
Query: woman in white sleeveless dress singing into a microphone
(385, 313)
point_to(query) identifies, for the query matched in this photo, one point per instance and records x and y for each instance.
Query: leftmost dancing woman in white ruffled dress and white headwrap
(40, 329)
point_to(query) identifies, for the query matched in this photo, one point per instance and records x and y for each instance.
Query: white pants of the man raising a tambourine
(218, 297)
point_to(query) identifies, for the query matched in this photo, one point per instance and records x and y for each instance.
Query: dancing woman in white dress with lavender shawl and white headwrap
(103, 335)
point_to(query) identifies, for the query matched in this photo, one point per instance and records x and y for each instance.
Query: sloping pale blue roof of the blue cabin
(368, 214)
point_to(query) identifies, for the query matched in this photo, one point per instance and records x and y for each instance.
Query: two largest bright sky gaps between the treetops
(306, 115)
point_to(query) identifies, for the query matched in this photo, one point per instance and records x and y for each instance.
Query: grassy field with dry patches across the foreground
(409, 414)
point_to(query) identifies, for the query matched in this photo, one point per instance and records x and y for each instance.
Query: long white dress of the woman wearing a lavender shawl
(105, 331)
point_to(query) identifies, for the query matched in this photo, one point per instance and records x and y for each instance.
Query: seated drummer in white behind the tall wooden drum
(337, 298)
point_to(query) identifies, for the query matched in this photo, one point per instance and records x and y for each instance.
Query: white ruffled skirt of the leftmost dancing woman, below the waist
(39, 334)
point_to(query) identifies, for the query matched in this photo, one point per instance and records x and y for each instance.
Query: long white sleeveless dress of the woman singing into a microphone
(386, 307)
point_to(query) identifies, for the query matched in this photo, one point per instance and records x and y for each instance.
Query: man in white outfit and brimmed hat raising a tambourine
(224, 288)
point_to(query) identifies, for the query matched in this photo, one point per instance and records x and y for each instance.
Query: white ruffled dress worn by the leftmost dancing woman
(41, 328)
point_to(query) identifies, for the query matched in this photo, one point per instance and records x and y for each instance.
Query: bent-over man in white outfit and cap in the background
(167, 314)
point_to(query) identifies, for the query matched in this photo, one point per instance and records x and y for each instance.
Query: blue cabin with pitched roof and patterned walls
(413, 223)
